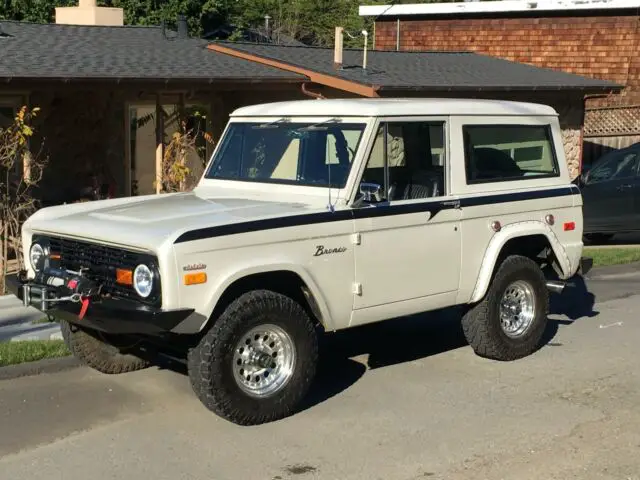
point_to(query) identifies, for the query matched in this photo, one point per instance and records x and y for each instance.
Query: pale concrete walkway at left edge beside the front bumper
(17, 322)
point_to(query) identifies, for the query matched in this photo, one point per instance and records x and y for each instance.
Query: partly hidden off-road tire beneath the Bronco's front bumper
(97, 354)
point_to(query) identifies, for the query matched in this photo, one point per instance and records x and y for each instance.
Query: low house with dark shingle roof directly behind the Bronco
(107, 92)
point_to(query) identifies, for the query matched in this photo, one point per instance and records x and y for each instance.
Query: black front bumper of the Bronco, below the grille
(107, 315)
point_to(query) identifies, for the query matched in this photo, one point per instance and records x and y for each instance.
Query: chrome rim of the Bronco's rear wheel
(517, 309)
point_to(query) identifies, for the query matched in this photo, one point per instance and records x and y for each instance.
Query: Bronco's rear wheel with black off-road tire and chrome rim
(509, 323)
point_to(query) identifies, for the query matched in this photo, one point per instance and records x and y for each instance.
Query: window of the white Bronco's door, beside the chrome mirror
(414, 158)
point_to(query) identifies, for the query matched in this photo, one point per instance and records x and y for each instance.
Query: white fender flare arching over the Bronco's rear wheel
(509, 232)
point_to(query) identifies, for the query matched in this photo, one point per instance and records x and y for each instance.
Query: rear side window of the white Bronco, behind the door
(497, 153)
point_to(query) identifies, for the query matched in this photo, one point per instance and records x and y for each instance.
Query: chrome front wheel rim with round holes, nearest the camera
(264, 360)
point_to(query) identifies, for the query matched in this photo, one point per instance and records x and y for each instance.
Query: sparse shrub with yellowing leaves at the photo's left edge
(20, 173)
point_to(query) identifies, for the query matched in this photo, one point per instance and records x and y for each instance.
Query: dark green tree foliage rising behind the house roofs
(310, 21)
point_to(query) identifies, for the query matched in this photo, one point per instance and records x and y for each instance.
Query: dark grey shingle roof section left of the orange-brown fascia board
(29, 50)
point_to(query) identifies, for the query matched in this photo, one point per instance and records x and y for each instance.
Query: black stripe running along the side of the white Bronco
(385, 210)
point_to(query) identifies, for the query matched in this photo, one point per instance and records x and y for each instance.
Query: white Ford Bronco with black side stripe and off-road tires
(314, 216)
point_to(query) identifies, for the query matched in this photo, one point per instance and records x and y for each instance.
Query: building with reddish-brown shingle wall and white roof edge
(594, 38)
